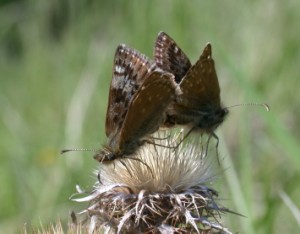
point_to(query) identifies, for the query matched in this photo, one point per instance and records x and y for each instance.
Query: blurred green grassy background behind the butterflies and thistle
(55, 70)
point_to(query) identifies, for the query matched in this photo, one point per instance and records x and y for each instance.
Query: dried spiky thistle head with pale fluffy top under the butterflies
(157, 190)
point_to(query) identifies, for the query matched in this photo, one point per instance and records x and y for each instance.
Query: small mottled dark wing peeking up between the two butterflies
(169, 57)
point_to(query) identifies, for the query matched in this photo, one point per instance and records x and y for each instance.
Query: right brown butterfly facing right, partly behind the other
(199, 104)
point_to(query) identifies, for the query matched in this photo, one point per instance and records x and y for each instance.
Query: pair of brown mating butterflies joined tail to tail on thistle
(145, 95)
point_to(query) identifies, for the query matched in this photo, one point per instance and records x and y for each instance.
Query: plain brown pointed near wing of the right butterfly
(200, 86)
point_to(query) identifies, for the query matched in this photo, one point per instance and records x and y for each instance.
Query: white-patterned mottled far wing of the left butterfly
(129, 71)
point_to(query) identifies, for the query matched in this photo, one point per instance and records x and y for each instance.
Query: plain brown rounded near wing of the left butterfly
(147, 109)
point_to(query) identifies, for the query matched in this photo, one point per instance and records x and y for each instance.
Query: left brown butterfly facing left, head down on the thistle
(139, 94)
